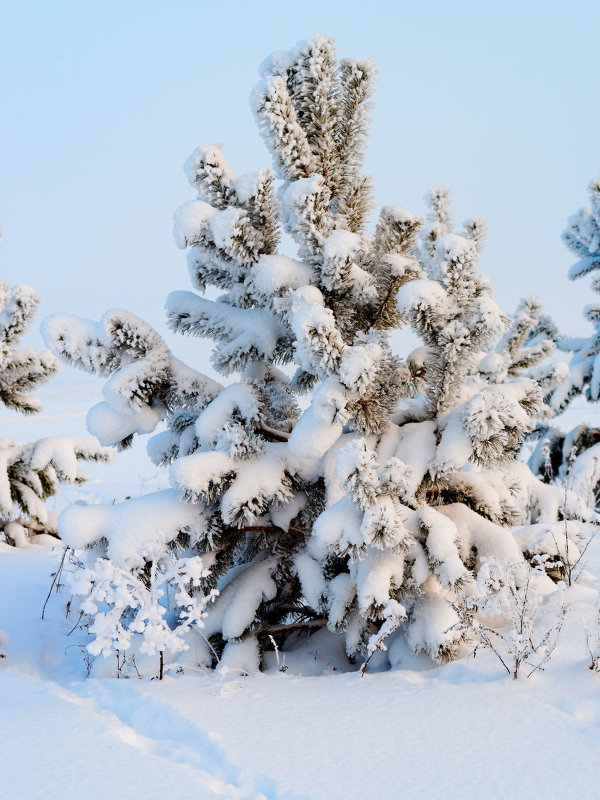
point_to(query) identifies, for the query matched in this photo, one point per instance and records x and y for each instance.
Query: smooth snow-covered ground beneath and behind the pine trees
(318, 730)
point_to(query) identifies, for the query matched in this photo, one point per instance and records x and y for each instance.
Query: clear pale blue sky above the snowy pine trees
(103, 101)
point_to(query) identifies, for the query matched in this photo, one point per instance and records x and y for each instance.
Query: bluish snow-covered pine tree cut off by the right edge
(574, 457)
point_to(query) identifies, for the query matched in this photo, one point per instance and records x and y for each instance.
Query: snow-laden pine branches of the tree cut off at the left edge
(31, 472)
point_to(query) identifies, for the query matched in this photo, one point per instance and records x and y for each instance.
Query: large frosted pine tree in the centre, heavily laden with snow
(329, 515)
